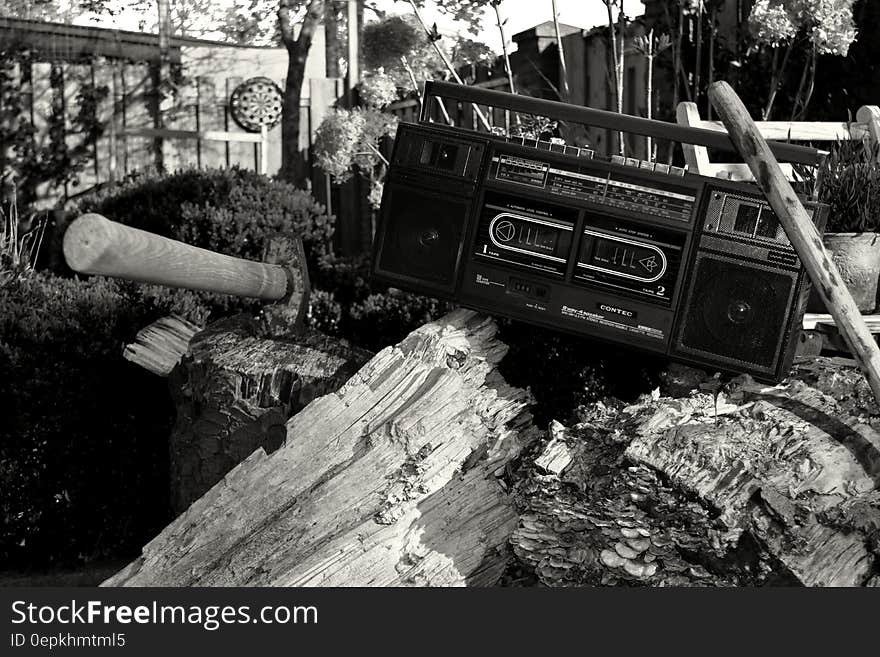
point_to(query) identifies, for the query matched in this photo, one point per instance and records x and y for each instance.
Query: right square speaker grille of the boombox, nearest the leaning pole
(736, 314)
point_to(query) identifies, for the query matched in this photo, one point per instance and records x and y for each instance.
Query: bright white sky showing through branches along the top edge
(519, 14)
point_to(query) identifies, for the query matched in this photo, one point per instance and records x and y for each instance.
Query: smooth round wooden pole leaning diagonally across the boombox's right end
(800, 230)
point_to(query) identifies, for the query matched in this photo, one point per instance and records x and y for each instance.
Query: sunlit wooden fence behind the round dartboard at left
(62, 73)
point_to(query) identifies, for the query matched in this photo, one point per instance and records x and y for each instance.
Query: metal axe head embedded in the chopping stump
(287, 315)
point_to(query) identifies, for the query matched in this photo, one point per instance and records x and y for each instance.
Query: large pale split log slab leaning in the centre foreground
(394, 479)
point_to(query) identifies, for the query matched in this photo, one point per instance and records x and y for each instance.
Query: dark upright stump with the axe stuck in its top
(234, 390)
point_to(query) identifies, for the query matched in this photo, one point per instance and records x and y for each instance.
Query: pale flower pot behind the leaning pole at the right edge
(857, 257)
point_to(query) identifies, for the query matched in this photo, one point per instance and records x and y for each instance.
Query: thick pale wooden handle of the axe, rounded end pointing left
(95, 245)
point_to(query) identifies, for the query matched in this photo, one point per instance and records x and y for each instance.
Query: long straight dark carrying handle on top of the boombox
(604, 119)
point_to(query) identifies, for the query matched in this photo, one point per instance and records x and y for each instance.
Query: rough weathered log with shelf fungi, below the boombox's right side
(733, 485)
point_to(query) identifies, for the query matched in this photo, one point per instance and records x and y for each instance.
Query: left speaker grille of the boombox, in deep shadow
(422, 237)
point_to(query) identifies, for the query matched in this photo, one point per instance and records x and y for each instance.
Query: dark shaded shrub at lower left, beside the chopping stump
(83, 450)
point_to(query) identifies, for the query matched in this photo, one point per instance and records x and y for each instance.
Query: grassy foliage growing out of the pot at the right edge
(851, 186)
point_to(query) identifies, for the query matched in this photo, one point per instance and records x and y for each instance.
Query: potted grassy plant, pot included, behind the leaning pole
(851, 187)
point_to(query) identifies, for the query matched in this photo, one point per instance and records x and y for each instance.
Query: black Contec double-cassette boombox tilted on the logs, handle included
(647, 255)
